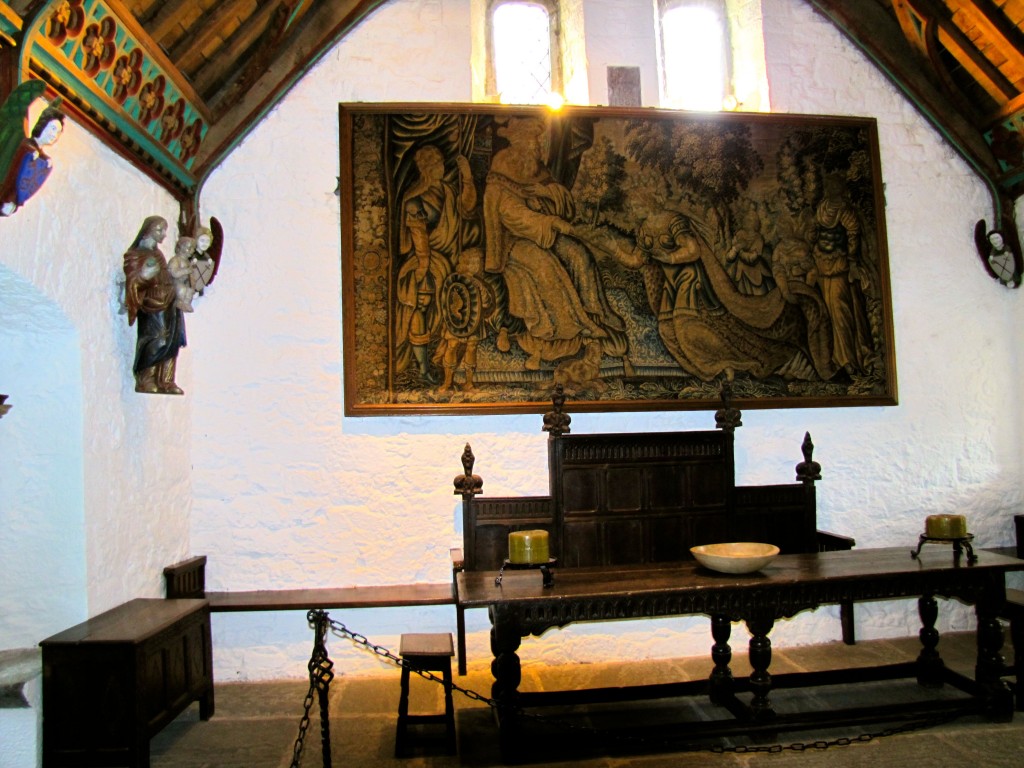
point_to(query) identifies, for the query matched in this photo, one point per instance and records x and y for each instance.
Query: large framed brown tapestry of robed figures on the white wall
(641, 259)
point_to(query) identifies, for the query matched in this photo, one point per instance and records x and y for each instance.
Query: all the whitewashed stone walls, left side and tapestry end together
(258, 468)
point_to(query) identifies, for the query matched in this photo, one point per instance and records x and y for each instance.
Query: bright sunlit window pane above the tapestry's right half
(694, 59)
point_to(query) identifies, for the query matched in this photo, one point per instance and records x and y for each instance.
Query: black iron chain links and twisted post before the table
(343, 631)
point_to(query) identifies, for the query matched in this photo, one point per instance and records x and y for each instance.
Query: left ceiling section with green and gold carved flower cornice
(174, 86)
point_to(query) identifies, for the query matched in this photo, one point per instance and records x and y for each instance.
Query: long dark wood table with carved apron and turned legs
(792, 584)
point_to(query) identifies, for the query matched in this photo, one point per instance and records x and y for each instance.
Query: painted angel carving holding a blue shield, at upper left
(25, 165)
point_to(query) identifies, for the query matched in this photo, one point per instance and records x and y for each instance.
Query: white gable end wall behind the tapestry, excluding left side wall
(290, 494)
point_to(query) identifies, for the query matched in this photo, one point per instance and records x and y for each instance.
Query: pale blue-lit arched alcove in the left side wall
(42, 527)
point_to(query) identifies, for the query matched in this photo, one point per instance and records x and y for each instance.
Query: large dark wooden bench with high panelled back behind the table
(642, 498)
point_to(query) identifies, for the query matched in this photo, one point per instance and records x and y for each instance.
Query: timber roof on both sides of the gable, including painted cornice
(227, 63)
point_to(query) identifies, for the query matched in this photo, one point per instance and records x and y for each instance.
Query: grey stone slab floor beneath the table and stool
(257, 724)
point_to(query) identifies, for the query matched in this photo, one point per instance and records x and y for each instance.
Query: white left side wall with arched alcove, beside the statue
(97, 485)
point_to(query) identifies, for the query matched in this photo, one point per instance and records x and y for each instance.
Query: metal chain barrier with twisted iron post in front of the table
(321, 676)
